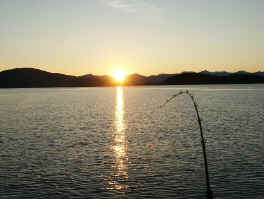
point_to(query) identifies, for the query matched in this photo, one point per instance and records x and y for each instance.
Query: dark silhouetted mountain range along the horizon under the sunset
(31, 77)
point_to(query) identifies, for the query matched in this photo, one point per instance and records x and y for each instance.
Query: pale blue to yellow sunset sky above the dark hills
(79, 37)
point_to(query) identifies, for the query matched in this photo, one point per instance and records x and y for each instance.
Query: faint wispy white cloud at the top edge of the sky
(131, 6)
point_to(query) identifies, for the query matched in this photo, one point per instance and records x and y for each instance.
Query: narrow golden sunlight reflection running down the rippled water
(119, 147)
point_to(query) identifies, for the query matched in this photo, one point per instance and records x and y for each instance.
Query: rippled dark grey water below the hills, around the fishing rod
(118, 143)
